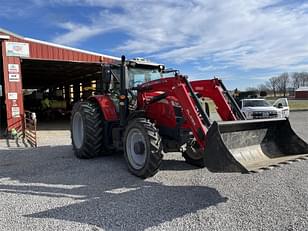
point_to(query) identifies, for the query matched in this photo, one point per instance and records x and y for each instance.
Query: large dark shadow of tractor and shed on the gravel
(101, 192)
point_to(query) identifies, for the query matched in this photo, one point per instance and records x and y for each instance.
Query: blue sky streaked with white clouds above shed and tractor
(243, 42)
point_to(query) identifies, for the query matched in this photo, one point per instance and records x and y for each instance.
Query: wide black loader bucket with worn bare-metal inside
(252, 145)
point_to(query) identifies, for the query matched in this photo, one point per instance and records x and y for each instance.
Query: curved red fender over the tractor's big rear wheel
(107, 106)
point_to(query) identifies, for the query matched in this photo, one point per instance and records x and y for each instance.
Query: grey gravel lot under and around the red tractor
(48, 189)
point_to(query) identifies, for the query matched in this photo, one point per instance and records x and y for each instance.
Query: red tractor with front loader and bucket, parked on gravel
(145, 111)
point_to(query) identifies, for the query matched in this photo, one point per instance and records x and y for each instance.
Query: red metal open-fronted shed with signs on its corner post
(43, 77)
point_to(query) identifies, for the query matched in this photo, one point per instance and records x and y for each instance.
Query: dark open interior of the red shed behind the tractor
(51, 88)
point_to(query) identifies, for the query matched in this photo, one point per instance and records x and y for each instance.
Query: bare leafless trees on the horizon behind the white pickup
(280, 84)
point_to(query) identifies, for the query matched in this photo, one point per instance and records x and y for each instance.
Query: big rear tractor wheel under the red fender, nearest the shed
(87, 130)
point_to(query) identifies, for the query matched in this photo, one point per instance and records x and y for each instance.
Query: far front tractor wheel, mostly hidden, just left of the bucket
(193, 155)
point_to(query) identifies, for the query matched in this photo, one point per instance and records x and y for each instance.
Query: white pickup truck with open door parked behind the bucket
(261, 109)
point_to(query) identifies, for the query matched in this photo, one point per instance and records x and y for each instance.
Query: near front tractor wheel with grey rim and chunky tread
(142, 148)
